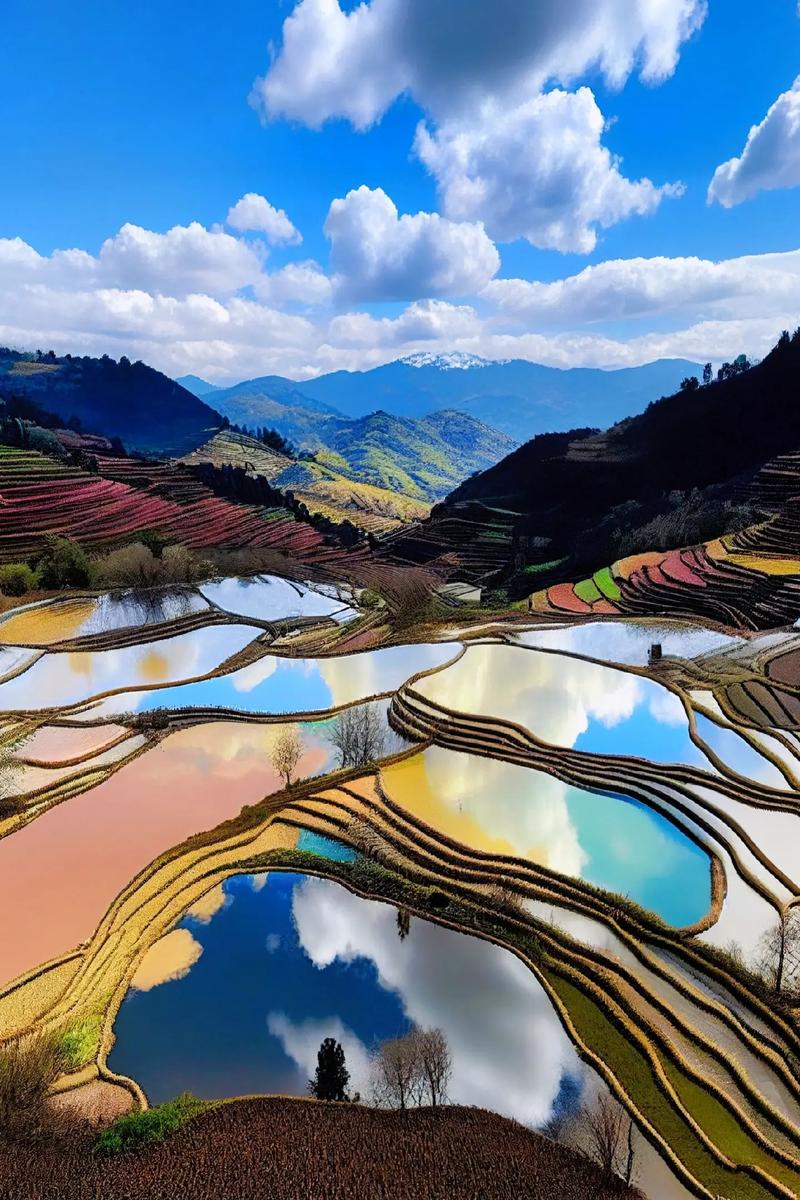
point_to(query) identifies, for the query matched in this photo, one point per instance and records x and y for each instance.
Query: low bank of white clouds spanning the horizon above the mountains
(688, 308)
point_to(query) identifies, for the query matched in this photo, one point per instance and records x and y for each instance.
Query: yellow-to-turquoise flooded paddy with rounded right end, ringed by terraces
(610, 841)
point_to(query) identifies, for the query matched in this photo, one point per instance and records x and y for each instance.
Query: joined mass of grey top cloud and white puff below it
(526, 161)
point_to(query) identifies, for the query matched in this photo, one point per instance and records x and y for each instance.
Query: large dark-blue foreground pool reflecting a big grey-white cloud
(291, 961)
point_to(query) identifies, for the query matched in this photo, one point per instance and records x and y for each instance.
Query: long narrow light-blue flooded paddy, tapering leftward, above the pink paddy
(278, 685)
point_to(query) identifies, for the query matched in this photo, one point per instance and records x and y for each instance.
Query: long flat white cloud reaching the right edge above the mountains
(648, 287)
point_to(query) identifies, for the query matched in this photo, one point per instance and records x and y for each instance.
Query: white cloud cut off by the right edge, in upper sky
(771, 159)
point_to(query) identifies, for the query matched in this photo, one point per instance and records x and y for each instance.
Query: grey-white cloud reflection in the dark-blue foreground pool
(509, 1051)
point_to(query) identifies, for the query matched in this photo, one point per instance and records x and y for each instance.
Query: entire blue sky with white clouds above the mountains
(299, 187)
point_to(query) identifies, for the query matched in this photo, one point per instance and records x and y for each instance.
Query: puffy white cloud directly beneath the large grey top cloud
(538, 171)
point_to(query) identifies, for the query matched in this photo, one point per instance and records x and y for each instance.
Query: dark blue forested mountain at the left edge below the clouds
(143, 407)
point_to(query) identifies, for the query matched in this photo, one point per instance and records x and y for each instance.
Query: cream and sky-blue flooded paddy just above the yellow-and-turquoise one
(568, 703)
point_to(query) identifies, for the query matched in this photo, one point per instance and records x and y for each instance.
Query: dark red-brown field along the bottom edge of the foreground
(296, 1150)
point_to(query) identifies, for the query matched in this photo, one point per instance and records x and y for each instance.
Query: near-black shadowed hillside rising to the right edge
(679, 473)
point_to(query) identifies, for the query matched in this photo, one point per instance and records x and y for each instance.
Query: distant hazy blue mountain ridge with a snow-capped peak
(518, 398)
